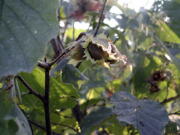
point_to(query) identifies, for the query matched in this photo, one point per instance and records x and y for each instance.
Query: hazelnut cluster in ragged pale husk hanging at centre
(98, 50)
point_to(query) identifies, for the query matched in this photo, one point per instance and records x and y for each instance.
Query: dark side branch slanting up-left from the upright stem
(31, 91)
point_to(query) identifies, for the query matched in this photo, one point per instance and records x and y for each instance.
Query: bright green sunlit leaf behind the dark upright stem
(62, 95)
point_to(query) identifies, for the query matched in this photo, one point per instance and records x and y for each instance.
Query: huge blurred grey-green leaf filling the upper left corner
(26, 27)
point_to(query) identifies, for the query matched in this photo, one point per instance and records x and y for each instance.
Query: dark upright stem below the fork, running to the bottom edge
(46, 101)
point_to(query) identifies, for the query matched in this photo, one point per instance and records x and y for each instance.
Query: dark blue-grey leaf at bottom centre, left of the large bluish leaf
(94, 119)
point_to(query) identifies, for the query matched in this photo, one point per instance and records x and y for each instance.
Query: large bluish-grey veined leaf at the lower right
(146, 115)
